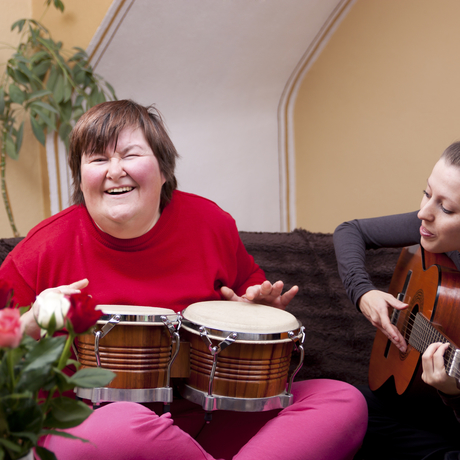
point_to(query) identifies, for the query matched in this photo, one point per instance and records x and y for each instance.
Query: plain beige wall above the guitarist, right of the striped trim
(376, 110)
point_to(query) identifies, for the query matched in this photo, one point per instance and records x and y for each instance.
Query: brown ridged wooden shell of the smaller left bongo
(138, 354)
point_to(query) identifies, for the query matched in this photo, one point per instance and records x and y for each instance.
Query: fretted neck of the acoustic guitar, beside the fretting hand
(423, 334)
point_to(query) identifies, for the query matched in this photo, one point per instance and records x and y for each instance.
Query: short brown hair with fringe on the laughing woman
(100, 127)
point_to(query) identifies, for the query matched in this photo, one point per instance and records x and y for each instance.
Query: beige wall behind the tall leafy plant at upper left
(27, 177)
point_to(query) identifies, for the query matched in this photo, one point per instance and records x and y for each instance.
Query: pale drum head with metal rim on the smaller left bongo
(135, 315)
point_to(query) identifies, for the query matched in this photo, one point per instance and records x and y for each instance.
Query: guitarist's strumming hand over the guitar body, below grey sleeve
(374, 306)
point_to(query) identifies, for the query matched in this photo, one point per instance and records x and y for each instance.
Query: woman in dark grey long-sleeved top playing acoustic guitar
(408, 427)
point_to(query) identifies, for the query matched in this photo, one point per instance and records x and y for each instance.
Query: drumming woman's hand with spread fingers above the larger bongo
(265, 293)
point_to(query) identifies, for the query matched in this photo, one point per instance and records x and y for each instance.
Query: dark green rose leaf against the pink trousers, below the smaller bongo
(66, 413)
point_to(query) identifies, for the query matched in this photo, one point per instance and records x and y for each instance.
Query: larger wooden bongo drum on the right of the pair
(240, 355)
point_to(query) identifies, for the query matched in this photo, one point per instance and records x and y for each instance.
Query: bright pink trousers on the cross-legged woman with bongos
(327, 421)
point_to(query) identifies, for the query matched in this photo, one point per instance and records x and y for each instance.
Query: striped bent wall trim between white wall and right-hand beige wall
(286, 115)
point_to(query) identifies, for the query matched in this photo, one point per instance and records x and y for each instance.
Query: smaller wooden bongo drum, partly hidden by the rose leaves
(135, 343)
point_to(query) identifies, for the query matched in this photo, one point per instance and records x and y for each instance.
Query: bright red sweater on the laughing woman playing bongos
(193, 250)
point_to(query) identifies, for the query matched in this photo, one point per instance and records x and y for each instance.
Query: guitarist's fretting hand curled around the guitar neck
(434, 371)
